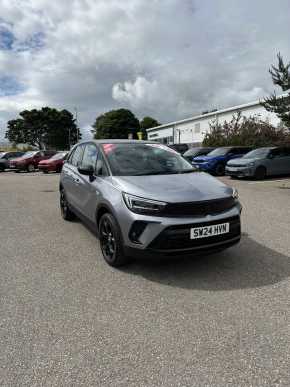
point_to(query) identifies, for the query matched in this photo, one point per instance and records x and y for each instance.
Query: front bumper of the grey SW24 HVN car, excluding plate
(171, 236)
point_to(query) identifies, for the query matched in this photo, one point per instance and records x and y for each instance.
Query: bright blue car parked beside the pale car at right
(215, 161)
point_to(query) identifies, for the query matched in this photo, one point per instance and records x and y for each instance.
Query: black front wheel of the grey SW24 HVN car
(111, 241)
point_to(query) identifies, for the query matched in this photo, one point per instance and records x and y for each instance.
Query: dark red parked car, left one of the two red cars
(30, 160)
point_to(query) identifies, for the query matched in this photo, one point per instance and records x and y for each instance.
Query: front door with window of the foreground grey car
(85, 190)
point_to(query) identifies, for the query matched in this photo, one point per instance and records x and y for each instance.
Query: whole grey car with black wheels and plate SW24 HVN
(143, 198)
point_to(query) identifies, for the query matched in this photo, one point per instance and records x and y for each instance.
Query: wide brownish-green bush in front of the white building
(243, 131)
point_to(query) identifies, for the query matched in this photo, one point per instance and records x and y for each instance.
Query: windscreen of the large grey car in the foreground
(133, 159)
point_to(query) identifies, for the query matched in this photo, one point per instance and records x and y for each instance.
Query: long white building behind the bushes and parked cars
(192, 130)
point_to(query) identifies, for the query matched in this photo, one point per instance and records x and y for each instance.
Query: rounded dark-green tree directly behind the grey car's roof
(116, 124)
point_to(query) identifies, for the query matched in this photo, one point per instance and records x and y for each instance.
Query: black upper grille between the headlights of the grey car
(201, 208)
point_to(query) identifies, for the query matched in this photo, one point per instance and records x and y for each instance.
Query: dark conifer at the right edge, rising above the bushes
(280, 105)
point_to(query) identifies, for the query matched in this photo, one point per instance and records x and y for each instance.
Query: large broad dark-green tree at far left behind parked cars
(44, 128)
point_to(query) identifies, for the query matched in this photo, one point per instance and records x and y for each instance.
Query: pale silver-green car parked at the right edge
(260, 163)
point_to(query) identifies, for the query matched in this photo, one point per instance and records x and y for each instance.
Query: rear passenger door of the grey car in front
(70, 175)
